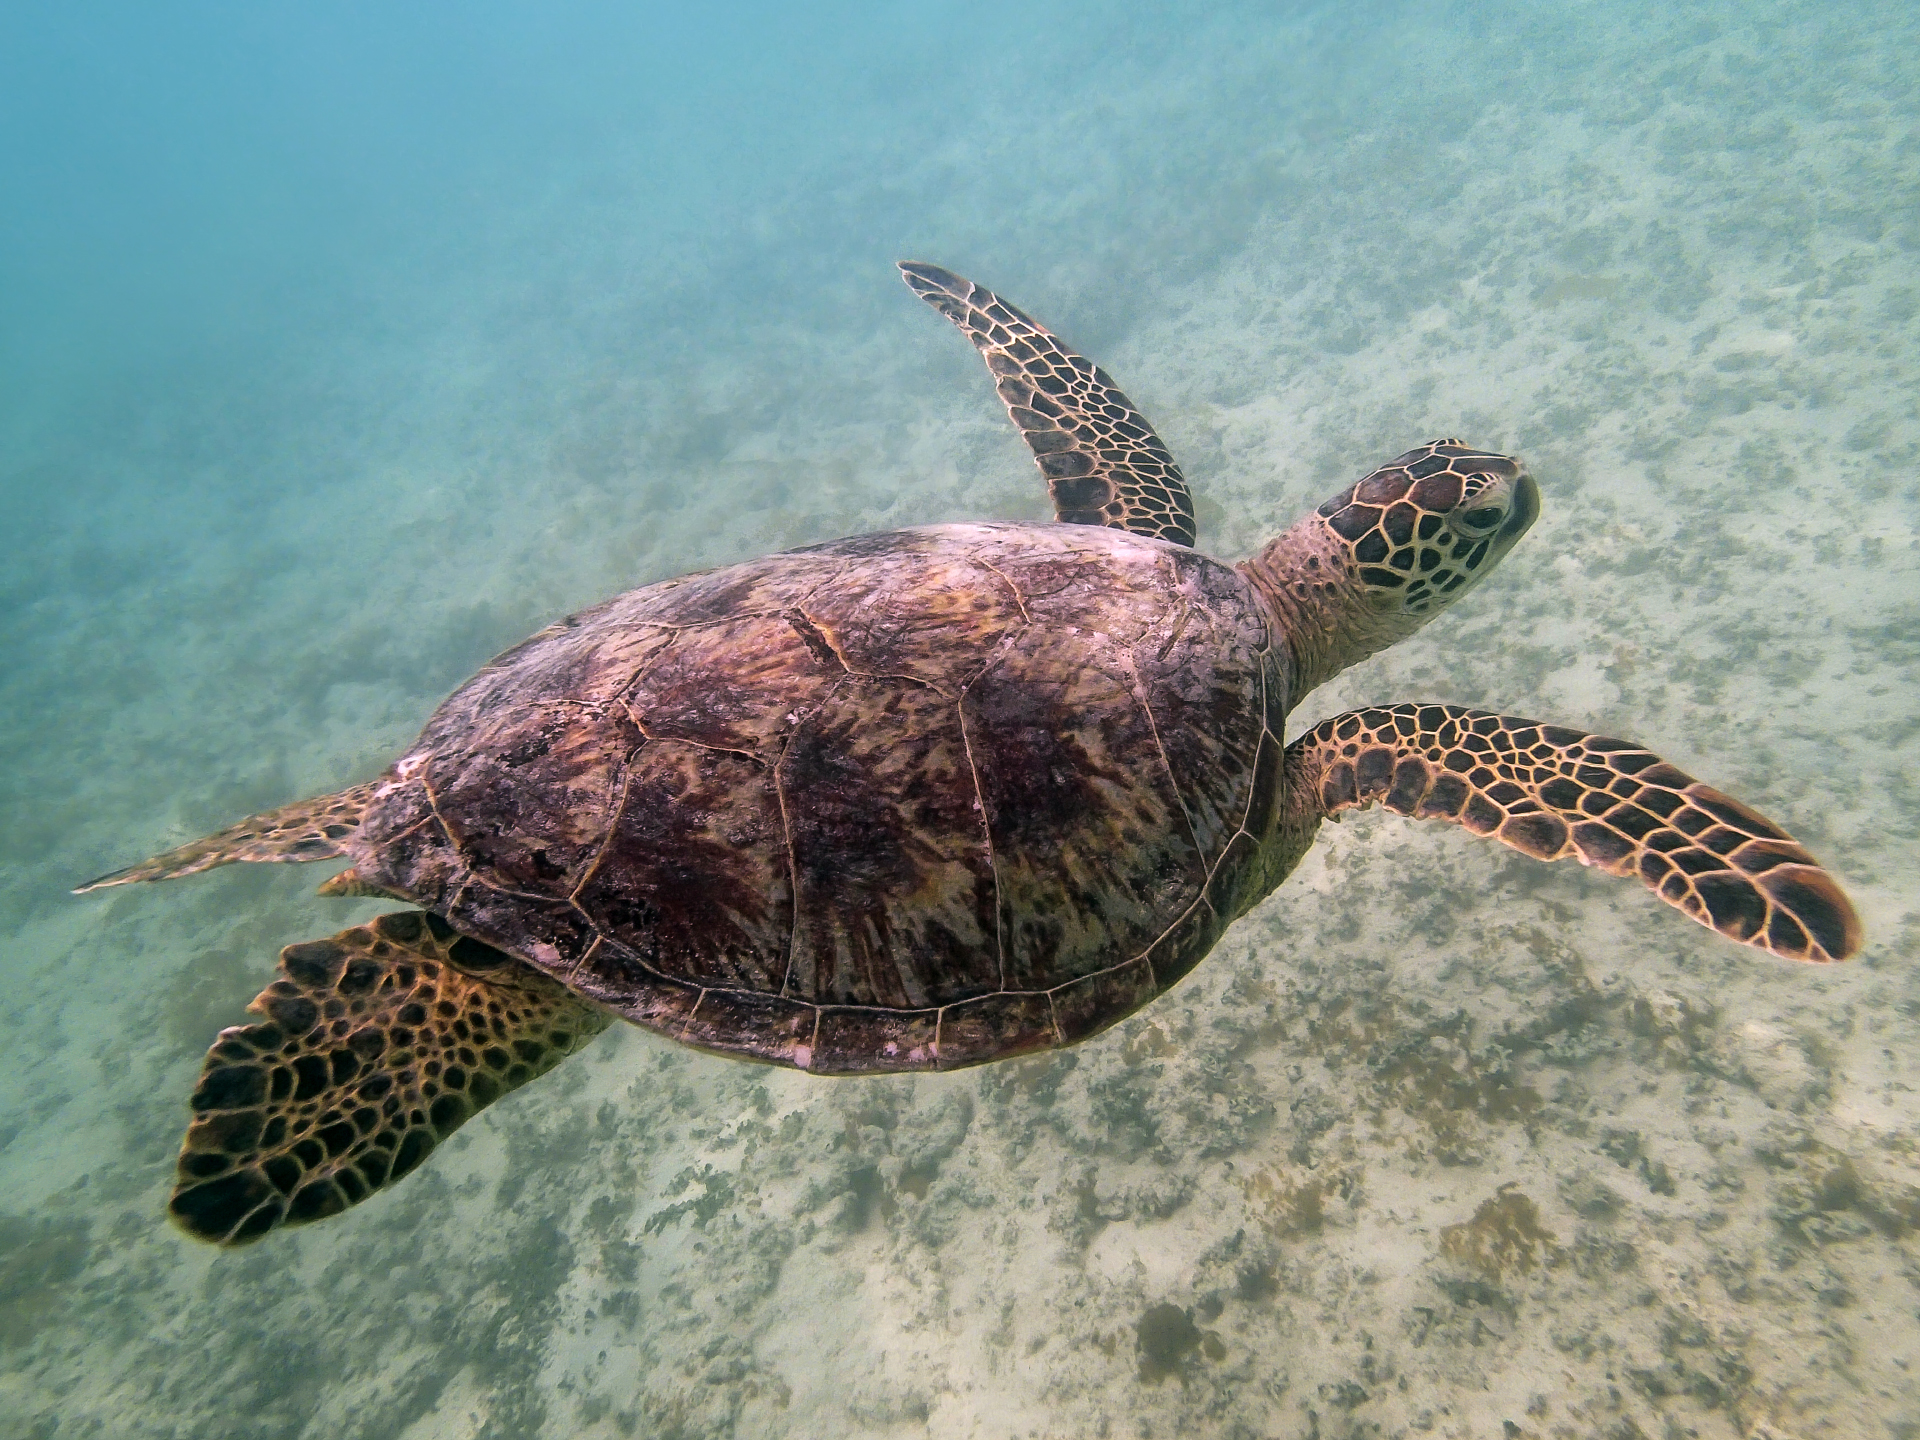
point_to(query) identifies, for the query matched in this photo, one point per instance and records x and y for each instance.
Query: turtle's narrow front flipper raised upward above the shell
(1101, 458)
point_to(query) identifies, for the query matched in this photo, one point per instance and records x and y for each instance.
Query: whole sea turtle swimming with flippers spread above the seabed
(909, 802)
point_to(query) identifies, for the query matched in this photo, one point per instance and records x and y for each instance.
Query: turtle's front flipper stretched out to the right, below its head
(1552, 794)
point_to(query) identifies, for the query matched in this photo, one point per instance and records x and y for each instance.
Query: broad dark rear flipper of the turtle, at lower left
(375, 1047)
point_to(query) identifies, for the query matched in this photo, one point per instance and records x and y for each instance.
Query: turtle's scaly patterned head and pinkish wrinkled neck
(1391, 552)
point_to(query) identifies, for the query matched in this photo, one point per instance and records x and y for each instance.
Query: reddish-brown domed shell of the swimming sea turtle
(903, 802)
